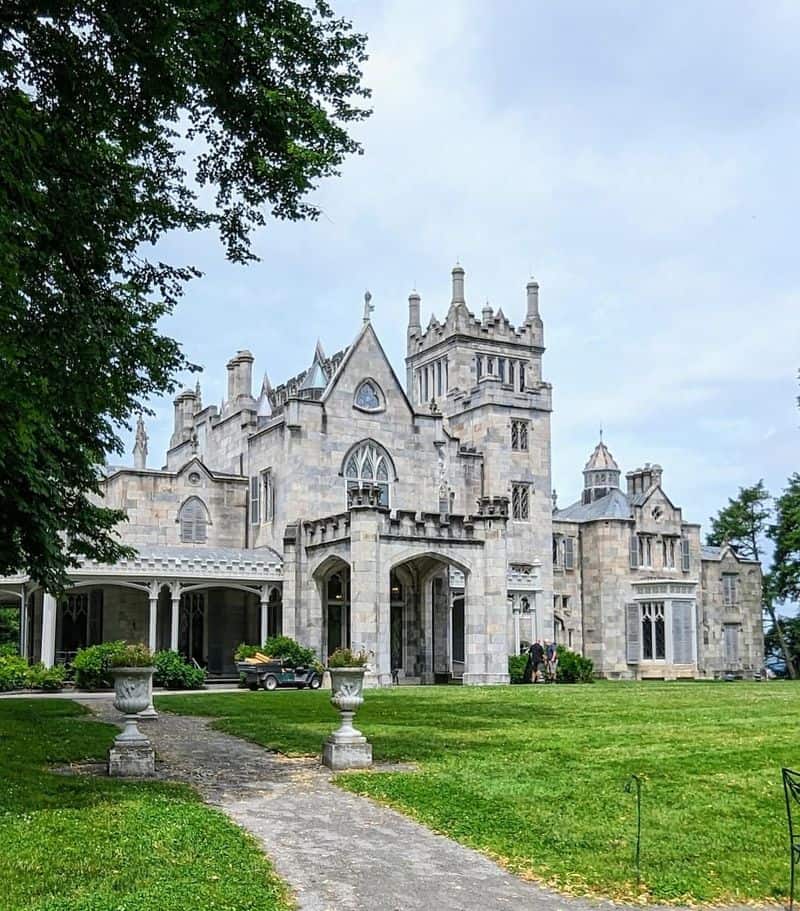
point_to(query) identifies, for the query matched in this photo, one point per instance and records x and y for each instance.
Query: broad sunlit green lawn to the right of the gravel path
(534, 776)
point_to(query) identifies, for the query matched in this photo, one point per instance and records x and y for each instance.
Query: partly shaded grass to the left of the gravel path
(85, 843)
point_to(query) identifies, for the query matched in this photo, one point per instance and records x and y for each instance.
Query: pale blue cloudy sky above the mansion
(640, 160)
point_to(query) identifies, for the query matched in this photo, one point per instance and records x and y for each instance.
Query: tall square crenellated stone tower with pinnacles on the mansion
(485, 375)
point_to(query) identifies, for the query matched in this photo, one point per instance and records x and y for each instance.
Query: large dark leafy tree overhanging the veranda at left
(101, 105)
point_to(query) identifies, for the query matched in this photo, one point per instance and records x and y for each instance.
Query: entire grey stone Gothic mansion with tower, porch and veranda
(412, 519)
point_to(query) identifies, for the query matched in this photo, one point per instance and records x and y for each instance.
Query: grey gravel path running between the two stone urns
(338, 851)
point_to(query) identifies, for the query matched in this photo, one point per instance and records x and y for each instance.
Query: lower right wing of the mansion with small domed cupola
(654, 604)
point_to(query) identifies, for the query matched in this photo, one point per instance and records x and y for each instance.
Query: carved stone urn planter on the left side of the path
(132, 753)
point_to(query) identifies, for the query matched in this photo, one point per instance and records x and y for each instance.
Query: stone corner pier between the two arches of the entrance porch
(369, 594)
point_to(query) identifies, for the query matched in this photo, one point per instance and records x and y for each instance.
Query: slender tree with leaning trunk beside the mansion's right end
(743, 523)
